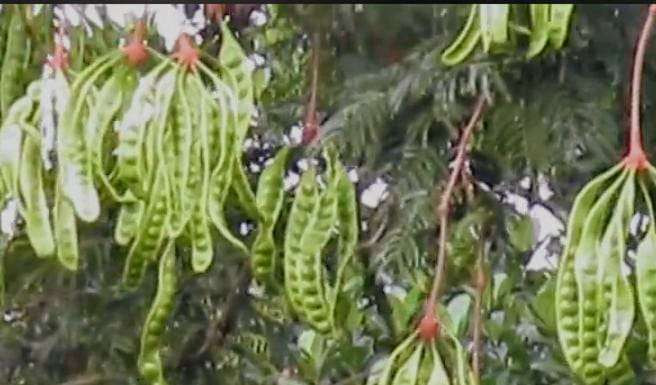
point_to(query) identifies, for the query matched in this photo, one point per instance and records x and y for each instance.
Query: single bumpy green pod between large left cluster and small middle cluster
(268, 201)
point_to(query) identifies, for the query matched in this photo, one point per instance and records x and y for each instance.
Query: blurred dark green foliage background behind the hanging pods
(394, 110)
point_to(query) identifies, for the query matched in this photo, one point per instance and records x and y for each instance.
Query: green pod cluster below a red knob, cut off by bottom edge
(418, 360)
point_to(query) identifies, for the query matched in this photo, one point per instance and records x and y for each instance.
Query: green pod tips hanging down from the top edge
(496, 27)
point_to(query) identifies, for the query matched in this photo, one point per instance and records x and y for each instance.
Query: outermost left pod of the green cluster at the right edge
(566, 298)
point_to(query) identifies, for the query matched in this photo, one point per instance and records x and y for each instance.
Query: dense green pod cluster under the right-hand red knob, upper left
(178, 155)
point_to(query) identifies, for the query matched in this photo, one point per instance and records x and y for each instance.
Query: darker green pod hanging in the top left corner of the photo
(12, 60)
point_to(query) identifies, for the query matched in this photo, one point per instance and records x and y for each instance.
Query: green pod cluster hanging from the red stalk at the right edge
(594, 299)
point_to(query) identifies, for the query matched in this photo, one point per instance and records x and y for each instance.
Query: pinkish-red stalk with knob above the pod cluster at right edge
(636, 158)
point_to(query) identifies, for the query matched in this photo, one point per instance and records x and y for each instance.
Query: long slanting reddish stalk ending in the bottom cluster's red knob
(429, 325)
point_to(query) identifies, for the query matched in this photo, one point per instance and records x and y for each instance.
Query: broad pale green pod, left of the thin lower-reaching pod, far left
(35, 208)
